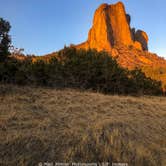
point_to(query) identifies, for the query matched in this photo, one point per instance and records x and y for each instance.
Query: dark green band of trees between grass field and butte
(74, 68)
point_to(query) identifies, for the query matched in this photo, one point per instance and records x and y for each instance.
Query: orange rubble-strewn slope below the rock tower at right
(151, 64)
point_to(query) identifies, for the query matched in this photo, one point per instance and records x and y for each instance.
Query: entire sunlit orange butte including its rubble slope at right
(111, 32)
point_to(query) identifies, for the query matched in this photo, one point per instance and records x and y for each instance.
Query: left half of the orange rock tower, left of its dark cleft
(100, 34)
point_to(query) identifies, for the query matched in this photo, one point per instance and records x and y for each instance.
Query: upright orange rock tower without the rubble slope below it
(111, 27)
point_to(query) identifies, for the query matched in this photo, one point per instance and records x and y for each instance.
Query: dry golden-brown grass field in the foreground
(42, 124)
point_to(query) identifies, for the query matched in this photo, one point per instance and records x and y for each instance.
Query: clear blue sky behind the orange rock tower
(44, 26)
